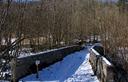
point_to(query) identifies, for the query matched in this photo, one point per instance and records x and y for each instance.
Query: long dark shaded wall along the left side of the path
(26, 65)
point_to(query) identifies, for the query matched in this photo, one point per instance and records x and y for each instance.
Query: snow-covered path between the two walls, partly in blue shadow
(73, 68)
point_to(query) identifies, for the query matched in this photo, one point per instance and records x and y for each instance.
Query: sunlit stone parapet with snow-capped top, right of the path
(102, 67)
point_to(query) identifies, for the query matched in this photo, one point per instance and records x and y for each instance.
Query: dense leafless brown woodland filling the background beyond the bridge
(49, 24)
